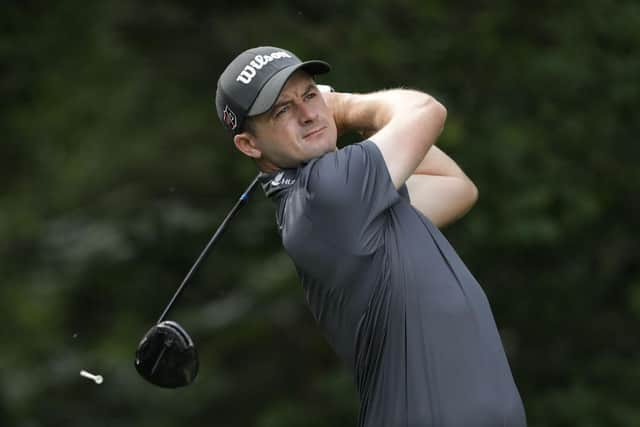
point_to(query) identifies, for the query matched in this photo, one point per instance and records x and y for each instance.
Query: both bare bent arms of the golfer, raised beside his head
(405, 125)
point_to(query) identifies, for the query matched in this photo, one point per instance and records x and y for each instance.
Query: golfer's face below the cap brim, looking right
(298, 127)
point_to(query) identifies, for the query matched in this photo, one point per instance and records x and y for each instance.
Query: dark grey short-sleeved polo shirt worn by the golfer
(392, 296)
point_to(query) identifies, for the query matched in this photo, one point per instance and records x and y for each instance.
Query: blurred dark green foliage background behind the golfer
(114, 172)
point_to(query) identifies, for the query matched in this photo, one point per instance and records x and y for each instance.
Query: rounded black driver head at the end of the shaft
(166, 356)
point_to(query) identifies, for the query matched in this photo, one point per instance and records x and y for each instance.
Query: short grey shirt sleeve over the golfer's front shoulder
(349, 195)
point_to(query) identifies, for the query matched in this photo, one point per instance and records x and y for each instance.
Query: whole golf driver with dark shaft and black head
(166, 355)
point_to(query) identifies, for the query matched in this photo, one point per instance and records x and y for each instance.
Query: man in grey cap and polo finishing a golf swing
(360, 224)
